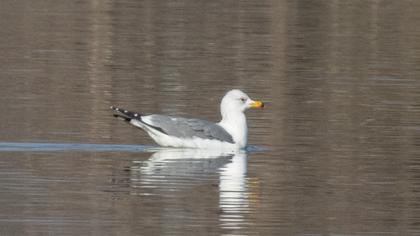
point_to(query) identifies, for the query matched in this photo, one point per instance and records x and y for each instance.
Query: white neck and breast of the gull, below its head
(235, 124)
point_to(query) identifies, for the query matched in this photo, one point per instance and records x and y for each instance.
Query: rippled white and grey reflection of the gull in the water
(199, 180)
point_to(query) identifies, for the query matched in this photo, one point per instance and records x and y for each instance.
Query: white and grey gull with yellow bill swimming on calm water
(171, 131)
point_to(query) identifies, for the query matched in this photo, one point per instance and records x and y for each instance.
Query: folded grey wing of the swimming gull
(189, 128)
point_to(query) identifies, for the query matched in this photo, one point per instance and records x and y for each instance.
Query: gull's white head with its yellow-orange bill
(236, 101)
